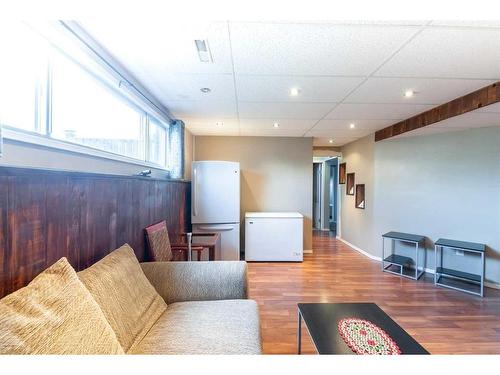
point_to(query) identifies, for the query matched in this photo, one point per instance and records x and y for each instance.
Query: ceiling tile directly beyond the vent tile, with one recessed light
(168, 86)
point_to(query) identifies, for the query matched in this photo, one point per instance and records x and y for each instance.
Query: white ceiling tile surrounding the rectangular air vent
(153, 48)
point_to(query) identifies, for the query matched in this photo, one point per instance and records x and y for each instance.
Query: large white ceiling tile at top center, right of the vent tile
(314, 49)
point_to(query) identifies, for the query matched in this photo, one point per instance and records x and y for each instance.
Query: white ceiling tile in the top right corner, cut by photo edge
(446, 52)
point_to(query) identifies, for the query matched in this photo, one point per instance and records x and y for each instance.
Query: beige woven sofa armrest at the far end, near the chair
(198, 281)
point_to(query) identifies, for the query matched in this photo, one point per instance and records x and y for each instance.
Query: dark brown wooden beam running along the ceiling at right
(481, 98)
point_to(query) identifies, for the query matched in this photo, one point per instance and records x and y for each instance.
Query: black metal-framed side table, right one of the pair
(455, 279)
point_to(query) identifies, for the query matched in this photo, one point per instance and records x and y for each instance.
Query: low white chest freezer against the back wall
(274, 236)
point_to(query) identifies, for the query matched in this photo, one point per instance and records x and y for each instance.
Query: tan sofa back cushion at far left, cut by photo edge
(55, 314)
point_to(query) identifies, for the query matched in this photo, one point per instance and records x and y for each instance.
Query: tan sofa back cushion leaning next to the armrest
(126, 297)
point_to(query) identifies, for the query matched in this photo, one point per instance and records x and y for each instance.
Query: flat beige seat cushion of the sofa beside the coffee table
(205, 327)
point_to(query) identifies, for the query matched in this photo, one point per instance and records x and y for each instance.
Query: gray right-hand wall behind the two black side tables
(445, 185)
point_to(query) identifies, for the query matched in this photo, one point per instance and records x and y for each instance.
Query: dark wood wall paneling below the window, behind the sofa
(46, 215)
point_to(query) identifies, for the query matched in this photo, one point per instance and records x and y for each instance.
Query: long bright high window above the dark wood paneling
(46, 91)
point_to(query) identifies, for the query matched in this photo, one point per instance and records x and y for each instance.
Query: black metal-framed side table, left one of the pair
(405, 264)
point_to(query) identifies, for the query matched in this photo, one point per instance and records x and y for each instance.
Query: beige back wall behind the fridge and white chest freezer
(276, 172)
